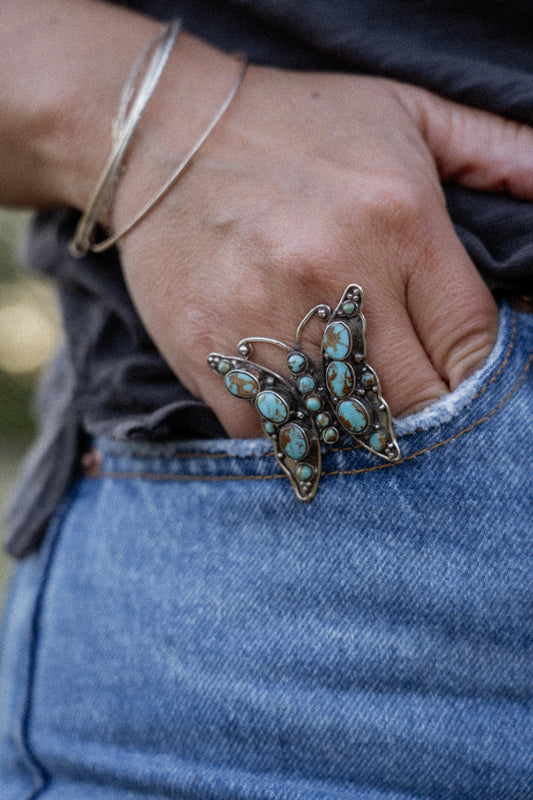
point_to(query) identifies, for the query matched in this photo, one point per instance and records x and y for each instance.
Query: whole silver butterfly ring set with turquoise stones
(315, 405)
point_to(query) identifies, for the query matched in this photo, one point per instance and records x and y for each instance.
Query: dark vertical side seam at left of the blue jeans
(40, 771)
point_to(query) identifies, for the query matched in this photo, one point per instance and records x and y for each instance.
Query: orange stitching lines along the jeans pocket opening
(170, 477)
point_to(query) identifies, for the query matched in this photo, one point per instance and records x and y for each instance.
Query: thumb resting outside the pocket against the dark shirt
(473, 147)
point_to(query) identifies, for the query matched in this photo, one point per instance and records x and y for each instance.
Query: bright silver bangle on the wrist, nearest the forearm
(131, 106)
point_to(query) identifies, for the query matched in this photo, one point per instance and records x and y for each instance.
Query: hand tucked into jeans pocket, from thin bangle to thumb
(313, 181)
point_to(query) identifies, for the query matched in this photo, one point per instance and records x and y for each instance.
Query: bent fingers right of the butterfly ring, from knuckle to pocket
(432, 321)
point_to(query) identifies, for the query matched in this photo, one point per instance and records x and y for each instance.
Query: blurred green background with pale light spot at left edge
(29, 335)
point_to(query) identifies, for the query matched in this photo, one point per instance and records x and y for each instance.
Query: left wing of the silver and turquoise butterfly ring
(284, 417)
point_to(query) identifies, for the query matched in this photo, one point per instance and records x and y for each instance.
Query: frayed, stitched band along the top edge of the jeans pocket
(480, 399)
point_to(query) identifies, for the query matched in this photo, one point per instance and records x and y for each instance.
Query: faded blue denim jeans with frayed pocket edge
(190, 630)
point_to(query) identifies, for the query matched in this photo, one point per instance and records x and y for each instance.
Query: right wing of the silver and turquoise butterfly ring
(352, 385)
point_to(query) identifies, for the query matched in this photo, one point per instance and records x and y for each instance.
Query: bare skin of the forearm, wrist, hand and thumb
(310, 182)
